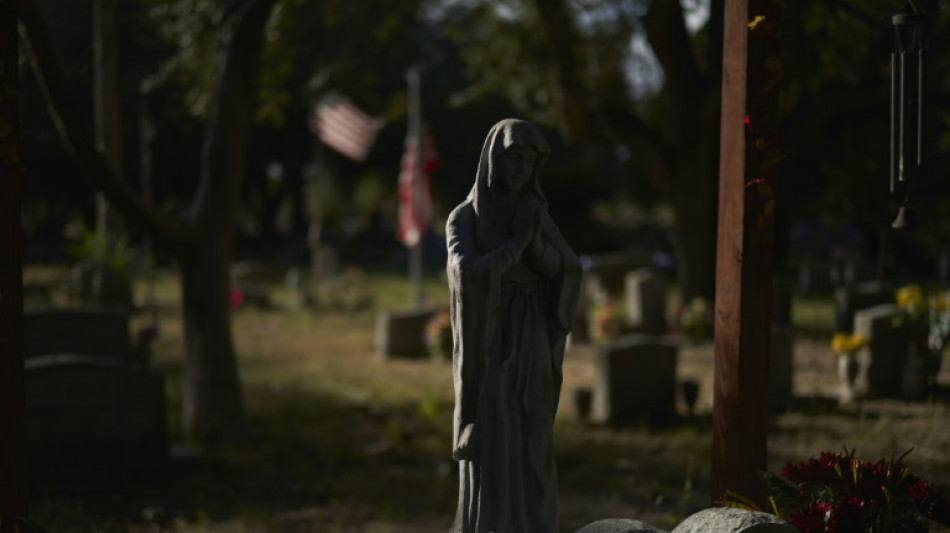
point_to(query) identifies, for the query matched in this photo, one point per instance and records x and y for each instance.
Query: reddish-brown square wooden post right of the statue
(748, 154)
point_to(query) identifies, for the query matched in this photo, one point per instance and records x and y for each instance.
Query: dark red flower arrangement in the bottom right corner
(838, 493)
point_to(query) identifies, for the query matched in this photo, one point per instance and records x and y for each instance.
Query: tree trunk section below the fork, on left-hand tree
(213, 410)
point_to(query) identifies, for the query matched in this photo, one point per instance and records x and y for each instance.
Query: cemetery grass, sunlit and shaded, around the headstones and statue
(342, 441)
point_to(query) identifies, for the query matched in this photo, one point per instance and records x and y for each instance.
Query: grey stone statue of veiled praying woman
(514, 285)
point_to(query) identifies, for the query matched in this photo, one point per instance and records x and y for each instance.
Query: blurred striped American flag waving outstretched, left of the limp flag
(344, 127)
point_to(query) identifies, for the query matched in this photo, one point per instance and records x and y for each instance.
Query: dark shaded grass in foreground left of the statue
(308, 458)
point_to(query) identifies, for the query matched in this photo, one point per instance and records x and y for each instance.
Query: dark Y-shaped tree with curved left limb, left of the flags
(201, 241)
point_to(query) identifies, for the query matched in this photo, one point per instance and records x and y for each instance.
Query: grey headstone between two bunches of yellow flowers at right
(881, 362)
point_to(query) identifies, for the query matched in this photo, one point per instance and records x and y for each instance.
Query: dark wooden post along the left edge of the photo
(13, 497)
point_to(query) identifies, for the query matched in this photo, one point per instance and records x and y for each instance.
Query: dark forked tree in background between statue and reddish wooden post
(684, 166)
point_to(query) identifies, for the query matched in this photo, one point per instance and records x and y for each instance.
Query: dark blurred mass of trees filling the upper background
(627, 91)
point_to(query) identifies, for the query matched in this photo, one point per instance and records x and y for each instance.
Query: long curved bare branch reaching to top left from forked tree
(76, 135)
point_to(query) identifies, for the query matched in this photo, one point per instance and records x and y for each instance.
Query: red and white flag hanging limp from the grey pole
(415, 203)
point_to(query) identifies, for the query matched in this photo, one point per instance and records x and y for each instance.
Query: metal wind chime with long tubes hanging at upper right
(907, 103)
